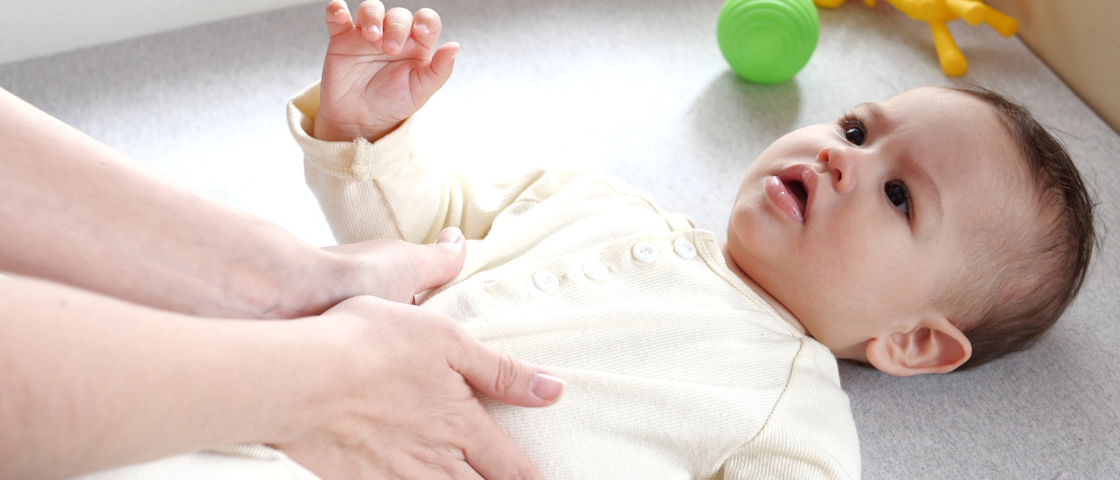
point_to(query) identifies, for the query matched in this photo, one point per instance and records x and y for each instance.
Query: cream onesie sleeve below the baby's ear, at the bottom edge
(810, 435)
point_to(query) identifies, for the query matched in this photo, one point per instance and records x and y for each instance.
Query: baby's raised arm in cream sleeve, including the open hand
(356, 131)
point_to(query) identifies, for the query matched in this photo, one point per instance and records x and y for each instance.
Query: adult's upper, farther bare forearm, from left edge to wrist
(80, 213)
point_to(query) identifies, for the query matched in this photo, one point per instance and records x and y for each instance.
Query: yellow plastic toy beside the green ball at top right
(937, 13)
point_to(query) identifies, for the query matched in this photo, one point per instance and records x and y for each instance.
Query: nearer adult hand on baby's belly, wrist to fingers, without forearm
(406, 409)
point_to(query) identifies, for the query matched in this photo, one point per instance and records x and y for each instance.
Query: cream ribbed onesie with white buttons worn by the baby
(675, 368)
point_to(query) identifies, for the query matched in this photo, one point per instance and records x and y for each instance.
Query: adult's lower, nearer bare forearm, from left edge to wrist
(91, 382)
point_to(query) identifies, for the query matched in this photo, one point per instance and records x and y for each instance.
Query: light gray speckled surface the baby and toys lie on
(639, 89)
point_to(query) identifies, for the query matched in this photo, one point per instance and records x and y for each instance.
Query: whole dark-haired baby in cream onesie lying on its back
(932, 232)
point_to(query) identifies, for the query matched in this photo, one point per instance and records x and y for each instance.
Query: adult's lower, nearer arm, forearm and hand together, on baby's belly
(372, 389)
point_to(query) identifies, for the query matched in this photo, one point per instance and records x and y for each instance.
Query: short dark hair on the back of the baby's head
(1037, 280)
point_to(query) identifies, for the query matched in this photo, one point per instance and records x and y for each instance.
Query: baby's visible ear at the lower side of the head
(936, 346)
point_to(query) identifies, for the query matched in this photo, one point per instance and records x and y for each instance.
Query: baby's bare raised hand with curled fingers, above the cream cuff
(380, 71)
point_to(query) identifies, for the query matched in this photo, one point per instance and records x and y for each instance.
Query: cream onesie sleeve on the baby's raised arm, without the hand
(379, 191)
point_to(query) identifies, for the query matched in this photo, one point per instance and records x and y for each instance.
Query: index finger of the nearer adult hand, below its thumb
(496, 457)
